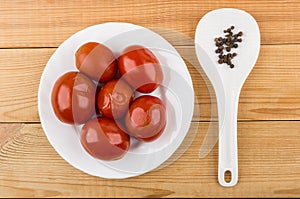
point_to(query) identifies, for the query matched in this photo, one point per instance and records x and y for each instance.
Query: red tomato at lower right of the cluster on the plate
(146, 118)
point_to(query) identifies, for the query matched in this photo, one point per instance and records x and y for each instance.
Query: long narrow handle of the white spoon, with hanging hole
(228, 157)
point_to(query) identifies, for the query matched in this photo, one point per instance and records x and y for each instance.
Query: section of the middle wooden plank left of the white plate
(20, 76)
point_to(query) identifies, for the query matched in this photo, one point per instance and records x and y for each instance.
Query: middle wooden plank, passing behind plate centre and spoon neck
(271, 92)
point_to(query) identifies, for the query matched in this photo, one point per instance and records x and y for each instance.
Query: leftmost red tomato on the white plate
(73, 98)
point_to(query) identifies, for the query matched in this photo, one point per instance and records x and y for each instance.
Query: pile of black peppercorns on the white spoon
(227, 43)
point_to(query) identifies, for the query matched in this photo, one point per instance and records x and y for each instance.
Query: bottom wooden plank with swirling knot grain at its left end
(269, 159)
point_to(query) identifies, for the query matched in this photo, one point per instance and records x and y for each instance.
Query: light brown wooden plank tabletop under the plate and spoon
(269, 108)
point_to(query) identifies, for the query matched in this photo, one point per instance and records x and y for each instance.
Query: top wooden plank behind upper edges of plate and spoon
(49, 23)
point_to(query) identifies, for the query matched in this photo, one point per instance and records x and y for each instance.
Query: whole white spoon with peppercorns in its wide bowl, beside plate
(227, 82)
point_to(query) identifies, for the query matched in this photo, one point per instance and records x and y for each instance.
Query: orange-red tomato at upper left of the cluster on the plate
(96, 61)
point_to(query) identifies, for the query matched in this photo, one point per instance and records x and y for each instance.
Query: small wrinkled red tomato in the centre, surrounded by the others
(114, 98)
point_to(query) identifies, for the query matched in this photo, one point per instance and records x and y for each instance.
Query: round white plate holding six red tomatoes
(177, 92)
